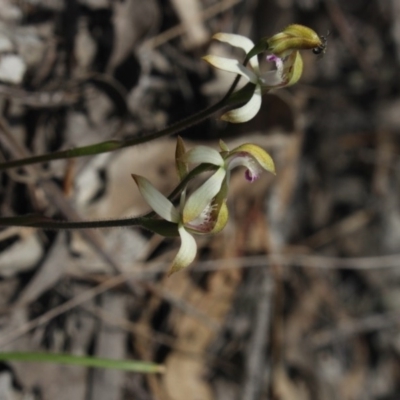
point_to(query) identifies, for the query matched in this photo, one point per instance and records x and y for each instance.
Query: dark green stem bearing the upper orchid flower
(111, 145)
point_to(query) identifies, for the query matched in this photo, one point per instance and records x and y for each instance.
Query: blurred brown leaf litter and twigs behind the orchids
(297, 299)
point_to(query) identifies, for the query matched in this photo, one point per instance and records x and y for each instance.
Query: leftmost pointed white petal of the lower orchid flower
(156, 200)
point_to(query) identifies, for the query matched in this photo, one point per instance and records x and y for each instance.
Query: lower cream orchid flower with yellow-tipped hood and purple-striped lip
(205, 210)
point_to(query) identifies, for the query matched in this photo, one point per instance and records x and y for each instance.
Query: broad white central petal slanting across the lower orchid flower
(201, 198)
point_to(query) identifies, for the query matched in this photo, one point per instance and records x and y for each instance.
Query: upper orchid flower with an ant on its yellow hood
(284, 47)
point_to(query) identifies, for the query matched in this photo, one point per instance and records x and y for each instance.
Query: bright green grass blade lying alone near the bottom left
(84, 361)
